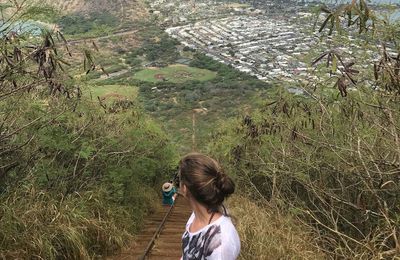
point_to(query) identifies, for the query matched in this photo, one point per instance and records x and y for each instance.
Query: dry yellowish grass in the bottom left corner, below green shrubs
(80, 226)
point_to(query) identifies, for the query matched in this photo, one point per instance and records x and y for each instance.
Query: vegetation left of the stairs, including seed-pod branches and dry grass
(76, 177)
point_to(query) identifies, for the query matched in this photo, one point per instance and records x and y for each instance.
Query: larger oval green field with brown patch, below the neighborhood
(174, 73)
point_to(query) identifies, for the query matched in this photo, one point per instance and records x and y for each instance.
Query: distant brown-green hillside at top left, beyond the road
(83, 19)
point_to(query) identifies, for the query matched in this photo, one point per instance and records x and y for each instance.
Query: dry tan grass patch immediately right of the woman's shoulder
(267, 234)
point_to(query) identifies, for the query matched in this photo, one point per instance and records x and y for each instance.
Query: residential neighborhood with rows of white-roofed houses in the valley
(256, 41)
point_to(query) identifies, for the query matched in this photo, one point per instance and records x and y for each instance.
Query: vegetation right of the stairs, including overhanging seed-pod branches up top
(330, 160)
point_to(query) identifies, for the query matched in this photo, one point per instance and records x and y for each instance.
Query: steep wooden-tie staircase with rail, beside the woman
(167, 244)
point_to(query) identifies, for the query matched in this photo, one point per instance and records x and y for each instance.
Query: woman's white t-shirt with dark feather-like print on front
(216, 241)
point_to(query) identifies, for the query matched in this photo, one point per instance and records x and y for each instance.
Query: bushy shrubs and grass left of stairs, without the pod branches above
(86, 180)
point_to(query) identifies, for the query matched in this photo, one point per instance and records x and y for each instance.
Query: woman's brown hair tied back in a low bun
(205, 180)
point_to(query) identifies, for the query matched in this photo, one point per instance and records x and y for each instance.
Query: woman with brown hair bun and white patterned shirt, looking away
(209, 232)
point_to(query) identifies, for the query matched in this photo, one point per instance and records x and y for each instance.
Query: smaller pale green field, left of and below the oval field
(110, 93)
